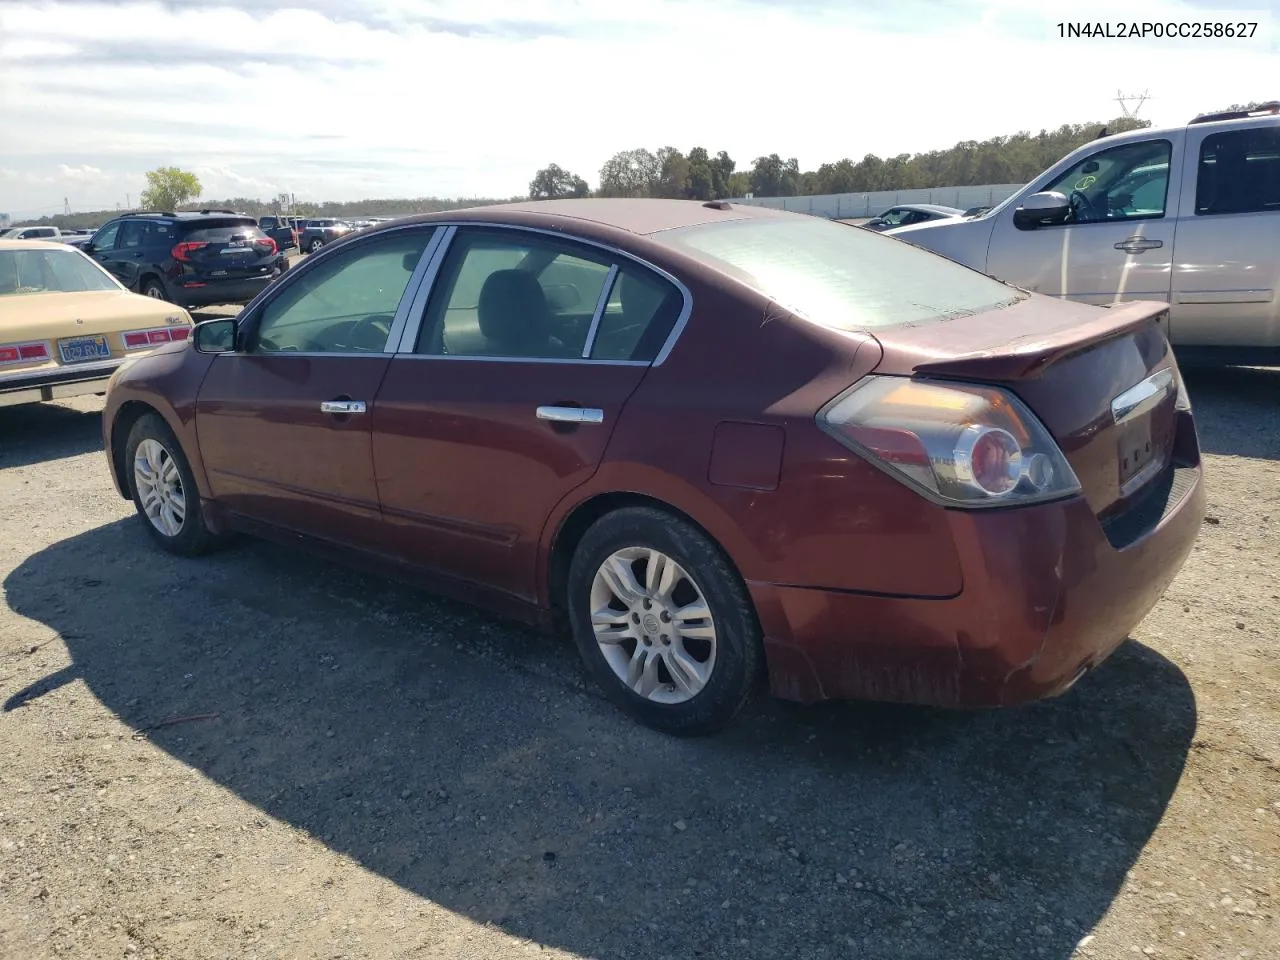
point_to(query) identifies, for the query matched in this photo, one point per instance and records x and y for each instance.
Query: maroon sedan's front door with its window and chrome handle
(284, 422)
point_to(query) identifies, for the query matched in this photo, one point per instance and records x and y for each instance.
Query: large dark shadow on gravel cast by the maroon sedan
(465, 761)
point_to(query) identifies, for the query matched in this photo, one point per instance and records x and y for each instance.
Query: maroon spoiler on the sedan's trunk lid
(1021, 359)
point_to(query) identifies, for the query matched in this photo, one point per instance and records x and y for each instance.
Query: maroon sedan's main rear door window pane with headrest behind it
(505, 294)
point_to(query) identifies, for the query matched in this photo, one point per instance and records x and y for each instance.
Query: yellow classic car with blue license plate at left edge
(67, 324)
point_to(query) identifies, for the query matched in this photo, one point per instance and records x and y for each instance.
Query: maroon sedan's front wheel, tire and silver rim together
(164, 488)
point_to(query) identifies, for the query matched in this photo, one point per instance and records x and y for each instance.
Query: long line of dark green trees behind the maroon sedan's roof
(700, 176)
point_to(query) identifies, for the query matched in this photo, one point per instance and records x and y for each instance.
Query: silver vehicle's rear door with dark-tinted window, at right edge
(1227, 259)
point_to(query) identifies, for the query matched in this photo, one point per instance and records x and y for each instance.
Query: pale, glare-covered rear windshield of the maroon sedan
(838, 276)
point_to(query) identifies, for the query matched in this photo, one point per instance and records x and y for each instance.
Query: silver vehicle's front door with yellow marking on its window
(1109, 249)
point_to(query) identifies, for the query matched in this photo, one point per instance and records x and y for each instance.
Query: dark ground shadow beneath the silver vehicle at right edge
(1237, 410)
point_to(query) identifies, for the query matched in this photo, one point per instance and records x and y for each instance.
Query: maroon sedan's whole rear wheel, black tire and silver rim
(664, 623)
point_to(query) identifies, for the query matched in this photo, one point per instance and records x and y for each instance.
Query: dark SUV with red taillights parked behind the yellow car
(191, 259)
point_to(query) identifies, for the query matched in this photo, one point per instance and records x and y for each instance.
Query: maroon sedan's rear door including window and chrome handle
(504, 399)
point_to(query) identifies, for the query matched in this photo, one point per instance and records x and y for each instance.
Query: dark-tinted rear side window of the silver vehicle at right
(1240, 172)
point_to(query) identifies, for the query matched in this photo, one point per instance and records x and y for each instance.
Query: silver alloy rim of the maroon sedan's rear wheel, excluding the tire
(653, 625)
